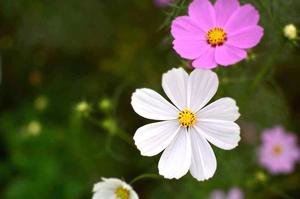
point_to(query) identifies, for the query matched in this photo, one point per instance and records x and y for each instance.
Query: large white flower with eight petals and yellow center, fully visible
(187, 126)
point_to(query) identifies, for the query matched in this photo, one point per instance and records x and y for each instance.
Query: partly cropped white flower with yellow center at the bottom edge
(113, 188)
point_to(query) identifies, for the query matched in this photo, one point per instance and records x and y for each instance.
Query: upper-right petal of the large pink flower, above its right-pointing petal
(243, 17)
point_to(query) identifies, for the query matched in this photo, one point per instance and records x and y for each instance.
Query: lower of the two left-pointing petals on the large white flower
(153, 138)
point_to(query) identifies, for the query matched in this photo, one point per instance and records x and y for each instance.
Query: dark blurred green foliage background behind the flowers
(68, 69)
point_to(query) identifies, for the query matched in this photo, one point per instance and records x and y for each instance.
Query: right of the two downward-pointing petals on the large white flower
(204, 162)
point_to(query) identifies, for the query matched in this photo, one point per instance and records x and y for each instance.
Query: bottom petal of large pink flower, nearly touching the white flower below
(206, 60)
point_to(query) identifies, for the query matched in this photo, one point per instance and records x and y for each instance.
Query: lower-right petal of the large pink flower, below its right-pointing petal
(228, 55)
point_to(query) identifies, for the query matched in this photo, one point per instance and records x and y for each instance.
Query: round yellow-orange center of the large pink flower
(216, 36)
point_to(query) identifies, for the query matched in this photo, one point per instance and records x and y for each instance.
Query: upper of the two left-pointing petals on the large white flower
(151, 105)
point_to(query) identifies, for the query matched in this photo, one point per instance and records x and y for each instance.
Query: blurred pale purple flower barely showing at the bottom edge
(234, 193)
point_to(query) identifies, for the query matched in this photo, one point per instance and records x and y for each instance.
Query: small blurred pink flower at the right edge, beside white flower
(279, 151)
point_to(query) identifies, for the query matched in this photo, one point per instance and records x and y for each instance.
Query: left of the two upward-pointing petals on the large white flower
(174, 83)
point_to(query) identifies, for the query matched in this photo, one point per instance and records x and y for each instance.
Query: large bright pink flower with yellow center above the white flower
(216, 34)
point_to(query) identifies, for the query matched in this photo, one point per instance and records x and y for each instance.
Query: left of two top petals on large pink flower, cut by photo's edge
(203, 13)
